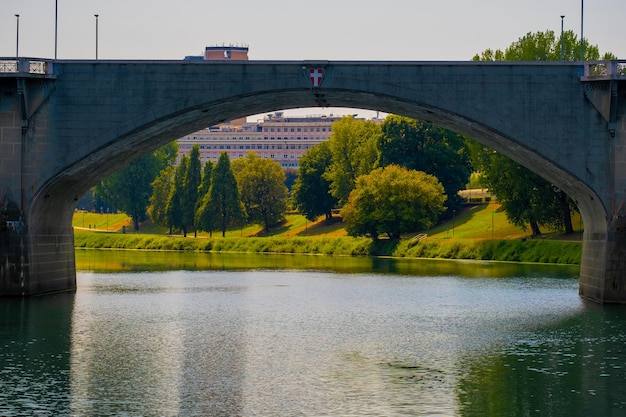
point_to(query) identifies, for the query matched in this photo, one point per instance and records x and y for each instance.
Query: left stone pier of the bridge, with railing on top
(36, 235)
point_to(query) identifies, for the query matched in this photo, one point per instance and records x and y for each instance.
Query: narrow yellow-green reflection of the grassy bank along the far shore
(118, 261)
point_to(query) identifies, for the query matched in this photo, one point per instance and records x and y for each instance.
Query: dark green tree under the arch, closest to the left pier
(129, 188)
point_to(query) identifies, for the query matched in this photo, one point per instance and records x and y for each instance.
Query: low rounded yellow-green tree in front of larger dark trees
(393, 200)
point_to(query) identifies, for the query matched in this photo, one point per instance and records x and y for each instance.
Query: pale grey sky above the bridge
(405, 30)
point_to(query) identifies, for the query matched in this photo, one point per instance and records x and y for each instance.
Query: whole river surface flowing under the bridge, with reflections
(312, 336)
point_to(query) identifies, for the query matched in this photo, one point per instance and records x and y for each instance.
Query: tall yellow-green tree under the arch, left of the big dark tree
(353, 146)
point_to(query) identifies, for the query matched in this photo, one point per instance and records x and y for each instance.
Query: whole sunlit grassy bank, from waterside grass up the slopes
(480, 232)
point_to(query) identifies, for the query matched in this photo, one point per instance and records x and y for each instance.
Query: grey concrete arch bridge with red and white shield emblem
(64, 125)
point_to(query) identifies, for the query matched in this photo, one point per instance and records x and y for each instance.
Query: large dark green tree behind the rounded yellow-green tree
(421, 146)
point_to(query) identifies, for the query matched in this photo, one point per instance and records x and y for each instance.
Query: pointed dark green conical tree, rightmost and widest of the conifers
(221, 206)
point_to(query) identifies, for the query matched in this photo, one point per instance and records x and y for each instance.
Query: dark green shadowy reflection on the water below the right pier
(574, 367)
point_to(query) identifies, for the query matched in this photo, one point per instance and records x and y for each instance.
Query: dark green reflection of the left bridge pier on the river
(35, 344)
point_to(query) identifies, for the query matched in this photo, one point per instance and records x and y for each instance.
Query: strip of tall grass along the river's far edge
(517, 250)
